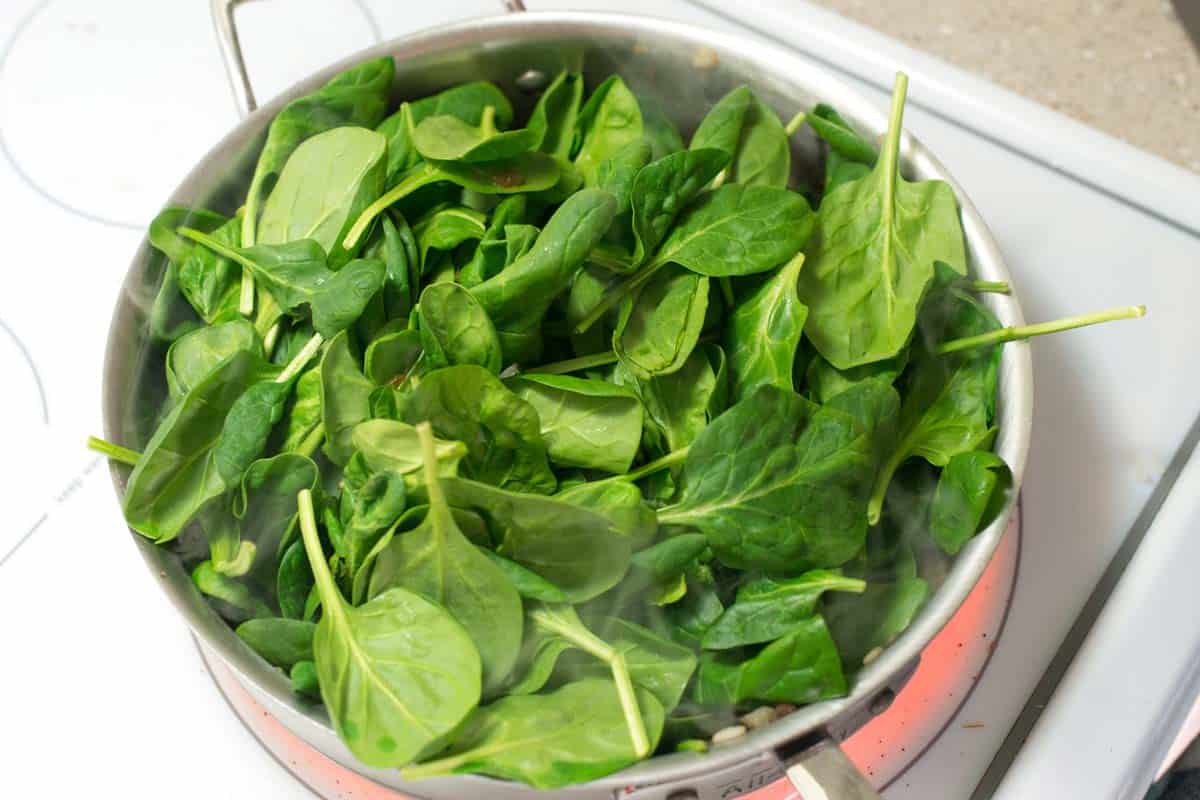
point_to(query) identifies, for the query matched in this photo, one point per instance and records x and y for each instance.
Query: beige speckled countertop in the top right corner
(1124, 67)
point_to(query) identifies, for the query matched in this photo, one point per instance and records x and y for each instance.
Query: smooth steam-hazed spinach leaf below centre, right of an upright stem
(577, 550)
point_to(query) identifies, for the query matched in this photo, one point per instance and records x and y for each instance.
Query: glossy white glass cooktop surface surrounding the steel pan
(104, 107)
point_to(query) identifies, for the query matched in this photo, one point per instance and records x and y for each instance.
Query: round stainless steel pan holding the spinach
(685, 70)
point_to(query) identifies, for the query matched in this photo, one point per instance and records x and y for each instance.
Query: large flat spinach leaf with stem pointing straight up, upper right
(873, 258)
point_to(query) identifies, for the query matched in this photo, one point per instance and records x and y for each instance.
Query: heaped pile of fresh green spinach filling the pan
(524, 449)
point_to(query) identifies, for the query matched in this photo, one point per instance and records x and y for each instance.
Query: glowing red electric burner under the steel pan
(884, 749)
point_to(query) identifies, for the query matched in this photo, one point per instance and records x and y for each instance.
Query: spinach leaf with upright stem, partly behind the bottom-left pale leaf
(439, 563)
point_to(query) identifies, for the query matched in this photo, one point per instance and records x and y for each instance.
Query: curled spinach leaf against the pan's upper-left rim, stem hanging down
(358, 97)
